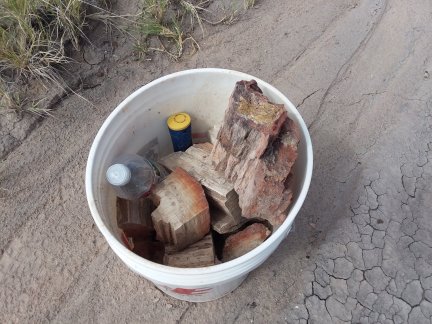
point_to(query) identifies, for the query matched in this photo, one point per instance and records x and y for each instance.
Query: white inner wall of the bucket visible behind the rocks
(138, 125)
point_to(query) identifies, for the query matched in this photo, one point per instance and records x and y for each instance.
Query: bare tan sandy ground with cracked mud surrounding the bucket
(359, 71)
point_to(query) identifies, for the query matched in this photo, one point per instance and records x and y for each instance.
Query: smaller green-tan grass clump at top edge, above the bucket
(172, 23)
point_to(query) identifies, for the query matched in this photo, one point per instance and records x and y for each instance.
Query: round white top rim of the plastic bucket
(116, 245)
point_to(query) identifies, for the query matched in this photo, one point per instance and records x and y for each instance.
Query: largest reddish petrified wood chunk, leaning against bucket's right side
(256, 148)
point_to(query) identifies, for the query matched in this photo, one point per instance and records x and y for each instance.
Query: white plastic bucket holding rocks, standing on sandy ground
(139, 124)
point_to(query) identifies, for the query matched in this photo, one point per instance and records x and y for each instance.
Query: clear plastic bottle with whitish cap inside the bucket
(132, 176)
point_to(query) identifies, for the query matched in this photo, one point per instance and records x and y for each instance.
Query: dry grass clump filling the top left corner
(33, 36)
